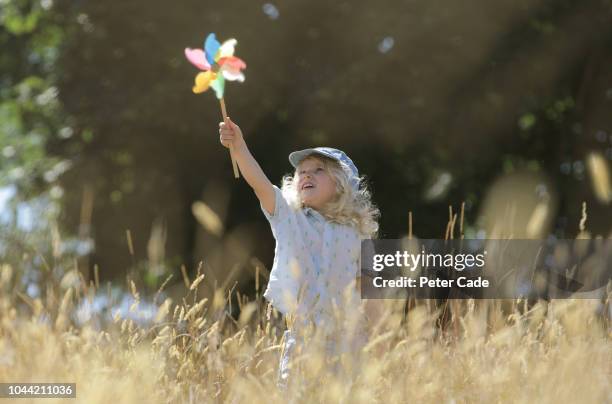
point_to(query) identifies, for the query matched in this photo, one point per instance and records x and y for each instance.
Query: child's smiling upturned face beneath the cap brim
(315, 185)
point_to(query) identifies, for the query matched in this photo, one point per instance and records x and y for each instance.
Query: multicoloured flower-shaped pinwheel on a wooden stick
(218, 63)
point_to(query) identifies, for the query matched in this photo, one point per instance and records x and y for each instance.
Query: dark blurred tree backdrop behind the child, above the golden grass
(433, 101)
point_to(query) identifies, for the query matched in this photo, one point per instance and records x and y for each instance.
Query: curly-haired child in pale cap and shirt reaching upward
(318, 218)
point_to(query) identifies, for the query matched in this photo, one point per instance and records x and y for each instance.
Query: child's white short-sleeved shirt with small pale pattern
(314, 254)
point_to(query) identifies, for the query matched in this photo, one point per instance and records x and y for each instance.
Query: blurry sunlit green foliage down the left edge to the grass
(31, 118)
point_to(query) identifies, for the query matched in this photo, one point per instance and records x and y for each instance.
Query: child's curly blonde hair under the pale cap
(349, 207)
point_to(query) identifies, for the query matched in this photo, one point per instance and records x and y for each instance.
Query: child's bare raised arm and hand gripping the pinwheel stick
(250, 169)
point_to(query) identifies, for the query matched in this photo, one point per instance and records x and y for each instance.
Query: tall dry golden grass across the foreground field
(195, 352)
